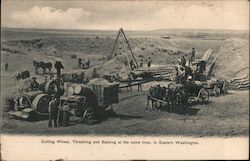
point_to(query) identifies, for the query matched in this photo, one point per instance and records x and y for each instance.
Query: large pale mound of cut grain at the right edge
(233, 63)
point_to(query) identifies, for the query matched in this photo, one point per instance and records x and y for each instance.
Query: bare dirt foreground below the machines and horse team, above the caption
(222, 116)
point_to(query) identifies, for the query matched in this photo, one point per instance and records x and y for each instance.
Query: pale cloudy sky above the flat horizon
(130, 15)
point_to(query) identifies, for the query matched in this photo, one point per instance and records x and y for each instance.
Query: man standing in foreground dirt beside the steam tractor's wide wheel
(53, 111)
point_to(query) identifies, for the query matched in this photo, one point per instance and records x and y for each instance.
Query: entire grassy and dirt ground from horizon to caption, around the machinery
(223, 116)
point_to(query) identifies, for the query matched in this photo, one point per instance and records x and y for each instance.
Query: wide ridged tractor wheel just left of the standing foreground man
(41, 104)
